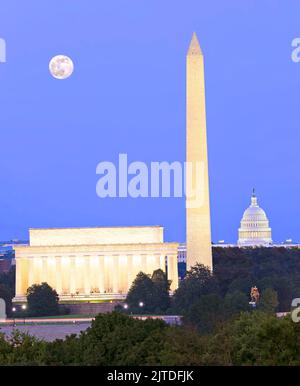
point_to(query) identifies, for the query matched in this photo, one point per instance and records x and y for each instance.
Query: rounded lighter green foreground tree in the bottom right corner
(255, 338)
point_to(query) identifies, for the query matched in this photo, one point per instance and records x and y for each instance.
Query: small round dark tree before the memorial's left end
(42, 300)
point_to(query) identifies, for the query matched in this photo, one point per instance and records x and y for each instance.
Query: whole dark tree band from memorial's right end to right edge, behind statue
(207, 299)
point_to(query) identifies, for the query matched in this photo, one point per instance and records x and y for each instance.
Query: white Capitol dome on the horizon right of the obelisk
(254, 229)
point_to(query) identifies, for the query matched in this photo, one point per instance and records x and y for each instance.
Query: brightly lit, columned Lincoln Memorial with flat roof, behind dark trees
(92, 263)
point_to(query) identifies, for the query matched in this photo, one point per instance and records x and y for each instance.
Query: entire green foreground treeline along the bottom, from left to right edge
(254, 338)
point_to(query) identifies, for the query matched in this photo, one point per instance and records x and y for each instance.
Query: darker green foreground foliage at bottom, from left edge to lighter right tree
(113, 339)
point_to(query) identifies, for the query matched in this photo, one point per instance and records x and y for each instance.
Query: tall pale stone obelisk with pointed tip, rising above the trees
(198, 232)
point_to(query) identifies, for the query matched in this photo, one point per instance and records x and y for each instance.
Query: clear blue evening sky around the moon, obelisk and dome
(127, 94)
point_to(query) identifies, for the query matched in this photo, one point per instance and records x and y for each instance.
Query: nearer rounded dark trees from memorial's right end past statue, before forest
(199, 299)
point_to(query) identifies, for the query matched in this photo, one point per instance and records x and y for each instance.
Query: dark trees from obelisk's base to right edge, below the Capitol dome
(235, 271)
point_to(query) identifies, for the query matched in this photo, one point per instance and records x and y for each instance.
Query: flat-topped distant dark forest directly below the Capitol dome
(277, 268)
